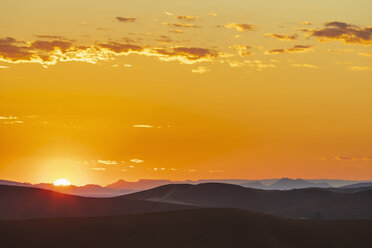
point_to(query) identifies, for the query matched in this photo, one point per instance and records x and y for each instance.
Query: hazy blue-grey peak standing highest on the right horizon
(287, 183)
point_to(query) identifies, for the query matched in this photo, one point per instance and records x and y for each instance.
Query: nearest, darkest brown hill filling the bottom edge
(204, 228)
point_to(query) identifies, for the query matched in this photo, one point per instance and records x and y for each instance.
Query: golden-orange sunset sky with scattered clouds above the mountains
(96, 91)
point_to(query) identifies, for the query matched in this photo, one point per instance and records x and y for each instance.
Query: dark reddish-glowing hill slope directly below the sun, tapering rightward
(25, 203)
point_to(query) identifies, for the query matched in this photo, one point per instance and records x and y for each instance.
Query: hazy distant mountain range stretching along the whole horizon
(122, 187)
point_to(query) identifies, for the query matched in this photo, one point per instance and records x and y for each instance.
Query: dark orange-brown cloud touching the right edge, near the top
(348, 33)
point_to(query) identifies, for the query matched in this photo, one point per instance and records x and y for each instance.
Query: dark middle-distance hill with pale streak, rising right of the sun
(309, 203)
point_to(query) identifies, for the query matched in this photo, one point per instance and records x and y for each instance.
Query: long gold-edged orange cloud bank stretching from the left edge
(52, 51)
